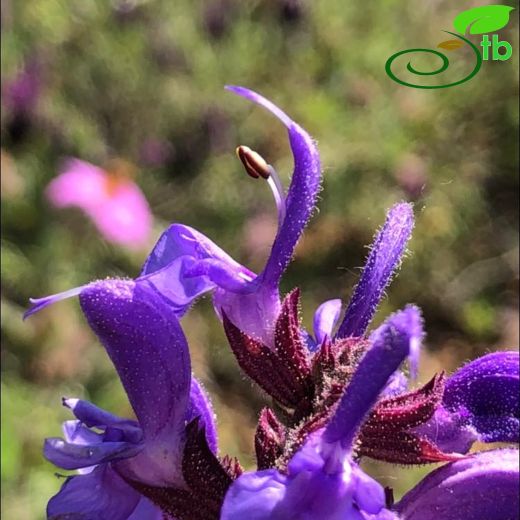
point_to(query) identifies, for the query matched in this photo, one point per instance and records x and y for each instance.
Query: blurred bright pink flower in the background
(108, 196)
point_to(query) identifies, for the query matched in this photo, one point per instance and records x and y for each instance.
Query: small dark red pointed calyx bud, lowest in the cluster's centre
(269, 439)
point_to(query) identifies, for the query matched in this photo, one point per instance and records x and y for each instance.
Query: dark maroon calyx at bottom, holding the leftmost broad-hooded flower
(207, 481)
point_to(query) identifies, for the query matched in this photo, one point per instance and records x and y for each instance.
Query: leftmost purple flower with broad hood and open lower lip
(143, 338)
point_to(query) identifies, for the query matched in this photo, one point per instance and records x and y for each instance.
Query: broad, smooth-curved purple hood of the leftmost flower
(147, 346)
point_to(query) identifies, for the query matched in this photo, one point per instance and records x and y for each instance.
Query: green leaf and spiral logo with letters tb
(479, 20)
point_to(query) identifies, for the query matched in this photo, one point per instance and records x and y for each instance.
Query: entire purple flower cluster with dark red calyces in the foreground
(336, 396)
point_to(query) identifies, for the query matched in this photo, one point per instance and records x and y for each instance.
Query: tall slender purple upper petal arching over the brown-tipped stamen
(302, 194)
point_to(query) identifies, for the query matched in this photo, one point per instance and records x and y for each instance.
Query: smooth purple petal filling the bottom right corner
(482, 487)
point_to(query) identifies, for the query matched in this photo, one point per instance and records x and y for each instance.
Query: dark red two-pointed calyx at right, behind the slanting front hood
(387, 434)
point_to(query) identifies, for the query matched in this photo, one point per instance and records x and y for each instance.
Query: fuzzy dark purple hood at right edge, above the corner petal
(488, 389)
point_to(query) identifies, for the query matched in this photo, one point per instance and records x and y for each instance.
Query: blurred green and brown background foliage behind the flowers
(143, 81)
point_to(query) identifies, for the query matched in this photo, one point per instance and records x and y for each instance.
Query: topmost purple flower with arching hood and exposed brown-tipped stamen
(193, 264)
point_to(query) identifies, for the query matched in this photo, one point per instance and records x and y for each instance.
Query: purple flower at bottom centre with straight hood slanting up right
(322, 480)
